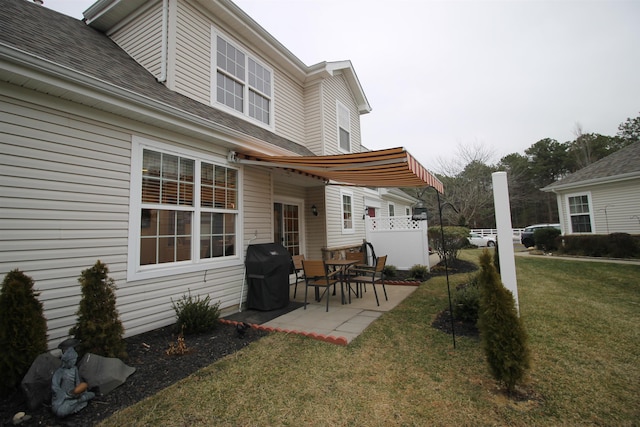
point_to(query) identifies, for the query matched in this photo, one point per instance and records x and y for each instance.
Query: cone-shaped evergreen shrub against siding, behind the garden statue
(98, 327)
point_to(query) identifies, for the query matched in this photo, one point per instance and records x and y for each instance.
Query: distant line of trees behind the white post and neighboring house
(468, 198)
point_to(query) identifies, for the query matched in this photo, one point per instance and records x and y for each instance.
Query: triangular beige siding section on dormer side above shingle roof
(141, 38)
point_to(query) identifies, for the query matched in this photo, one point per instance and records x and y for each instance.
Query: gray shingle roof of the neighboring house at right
(623, 162)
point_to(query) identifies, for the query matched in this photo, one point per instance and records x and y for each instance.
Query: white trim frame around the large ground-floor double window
(137, 272)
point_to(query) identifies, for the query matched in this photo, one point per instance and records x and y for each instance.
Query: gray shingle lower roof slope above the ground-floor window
(66, 41)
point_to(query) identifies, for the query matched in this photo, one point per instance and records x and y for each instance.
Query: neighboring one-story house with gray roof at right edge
(603, 197)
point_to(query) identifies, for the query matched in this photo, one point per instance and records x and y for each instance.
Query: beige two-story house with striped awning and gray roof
(162, 137)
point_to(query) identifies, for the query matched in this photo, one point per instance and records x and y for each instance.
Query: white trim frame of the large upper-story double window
(214, 86)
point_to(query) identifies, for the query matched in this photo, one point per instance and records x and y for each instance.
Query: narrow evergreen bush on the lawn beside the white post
(502, 333)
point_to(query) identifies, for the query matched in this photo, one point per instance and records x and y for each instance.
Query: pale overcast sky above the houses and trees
(445, 74)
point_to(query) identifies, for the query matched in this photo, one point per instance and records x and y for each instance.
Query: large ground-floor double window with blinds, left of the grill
(187, 206)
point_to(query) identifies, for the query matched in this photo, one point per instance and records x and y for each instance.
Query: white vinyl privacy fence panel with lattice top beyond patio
(402, 239)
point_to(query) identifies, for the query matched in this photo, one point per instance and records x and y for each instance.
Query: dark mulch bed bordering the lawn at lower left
(155, 370)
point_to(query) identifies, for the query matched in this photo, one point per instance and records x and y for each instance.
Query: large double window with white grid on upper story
(243, 85)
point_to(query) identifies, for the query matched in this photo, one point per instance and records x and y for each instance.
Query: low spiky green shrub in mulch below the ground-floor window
(196, 315)
